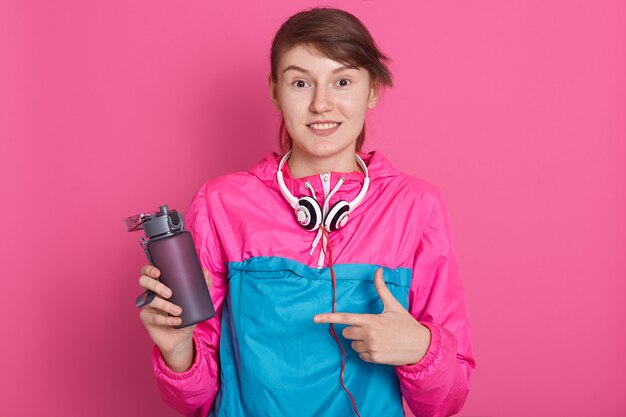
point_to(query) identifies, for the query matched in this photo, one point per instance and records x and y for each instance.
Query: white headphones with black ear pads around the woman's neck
(307, 209)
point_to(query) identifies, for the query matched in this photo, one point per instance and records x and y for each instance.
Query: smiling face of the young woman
(323, 102)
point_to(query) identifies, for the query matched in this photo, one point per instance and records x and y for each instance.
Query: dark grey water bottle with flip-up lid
(169, 247)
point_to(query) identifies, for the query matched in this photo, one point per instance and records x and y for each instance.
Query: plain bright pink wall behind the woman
(515, 110)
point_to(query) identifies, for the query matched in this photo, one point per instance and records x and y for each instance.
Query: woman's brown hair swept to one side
(338, 35)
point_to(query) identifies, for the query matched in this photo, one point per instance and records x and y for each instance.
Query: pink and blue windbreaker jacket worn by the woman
(262, 354)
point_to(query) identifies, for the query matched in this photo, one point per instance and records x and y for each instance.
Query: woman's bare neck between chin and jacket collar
(304, 166)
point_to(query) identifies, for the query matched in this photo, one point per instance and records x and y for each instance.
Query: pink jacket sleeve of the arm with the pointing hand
(439, 383)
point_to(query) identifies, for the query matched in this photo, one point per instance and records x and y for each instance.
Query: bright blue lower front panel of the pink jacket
(275, 361)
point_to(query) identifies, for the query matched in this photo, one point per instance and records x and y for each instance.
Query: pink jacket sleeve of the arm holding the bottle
(192, 392)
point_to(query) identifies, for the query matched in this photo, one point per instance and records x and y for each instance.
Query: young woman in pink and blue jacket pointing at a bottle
(333, 275)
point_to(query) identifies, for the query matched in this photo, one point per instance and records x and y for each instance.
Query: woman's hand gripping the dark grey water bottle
(160, 316)
